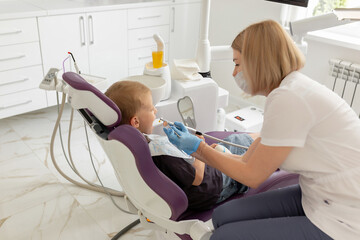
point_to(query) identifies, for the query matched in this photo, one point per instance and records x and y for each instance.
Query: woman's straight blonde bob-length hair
(268, 55)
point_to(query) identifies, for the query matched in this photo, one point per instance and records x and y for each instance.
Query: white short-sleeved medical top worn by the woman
(325, 134)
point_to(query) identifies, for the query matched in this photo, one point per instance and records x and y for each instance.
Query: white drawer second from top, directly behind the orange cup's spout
(144, 37)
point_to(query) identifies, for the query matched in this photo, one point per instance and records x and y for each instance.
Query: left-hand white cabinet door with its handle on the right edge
(60, 35)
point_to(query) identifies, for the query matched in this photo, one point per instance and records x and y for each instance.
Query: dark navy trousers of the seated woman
(273, 215)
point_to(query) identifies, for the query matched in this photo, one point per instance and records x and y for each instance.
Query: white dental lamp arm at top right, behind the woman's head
(339, 16)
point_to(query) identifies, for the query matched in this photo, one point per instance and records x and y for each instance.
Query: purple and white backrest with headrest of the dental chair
(146, 186)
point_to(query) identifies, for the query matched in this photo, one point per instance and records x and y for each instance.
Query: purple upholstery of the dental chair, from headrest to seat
(154, 178)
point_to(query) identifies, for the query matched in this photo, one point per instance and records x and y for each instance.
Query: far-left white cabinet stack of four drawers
(20, 67)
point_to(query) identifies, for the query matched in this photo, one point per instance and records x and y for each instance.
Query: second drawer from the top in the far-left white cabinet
(20, 55)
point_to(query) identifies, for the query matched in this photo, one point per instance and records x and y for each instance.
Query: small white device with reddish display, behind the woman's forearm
(249, 119)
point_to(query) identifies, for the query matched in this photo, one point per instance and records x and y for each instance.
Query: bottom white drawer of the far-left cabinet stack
(21, 102)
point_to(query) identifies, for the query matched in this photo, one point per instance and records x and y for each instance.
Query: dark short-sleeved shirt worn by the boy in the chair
(200, 197)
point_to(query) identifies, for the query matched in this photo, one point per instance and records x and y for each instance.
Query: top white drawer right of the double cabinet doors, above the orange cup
(146, 17)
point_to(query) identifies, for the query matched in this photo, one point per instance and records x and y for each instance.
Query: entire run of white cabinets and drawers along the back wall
(112, 43)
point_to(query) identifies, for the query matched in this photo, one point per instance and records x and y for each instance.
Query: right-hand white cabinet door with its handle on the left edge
(107, 35)
